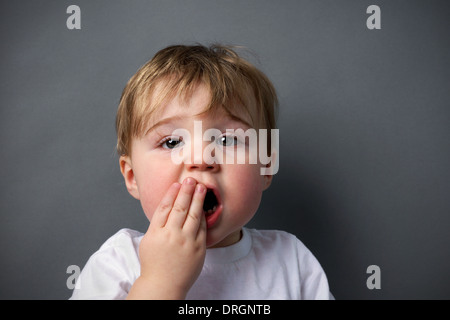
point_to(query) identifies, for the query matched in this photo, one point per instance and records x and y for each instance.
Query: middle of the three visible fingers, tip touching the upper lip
(180, 208)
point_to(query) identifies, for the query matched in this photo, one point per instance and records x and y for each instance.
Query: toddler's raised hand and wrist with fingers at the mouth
(172, 252)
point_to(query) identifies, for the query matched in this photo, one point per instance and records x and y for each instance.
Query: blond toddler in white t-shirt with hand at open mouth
(197, 246)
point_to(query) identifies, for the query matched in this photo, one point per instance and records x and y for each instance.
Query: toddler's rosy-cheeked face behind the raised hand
(150, 170)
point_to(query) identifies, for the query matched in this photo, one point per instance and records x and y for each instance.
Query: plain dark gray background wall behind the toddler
(364, 133)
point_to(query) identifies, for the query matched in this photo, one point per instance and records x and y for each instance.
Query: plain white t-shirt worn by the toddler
(262, 265)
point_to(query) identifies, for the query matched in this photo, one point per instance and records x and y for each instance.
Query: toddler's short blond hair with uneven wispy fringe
(233, 82)
